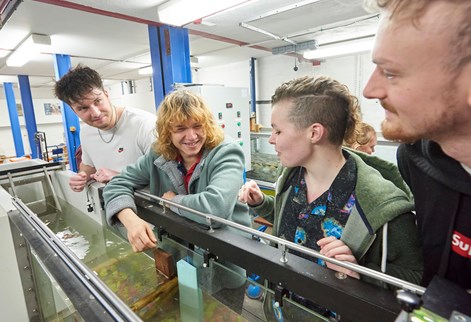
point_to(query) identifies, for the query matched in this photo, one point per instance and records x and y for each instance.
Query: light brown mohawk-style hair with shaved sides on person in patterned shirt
(322, 100)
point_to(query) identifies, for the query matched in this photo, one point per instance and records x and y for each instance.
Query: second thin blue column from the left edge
(30, 119)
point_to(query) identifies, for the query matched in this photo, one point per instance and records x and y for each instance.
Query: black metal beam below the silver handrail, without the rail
(352, 299)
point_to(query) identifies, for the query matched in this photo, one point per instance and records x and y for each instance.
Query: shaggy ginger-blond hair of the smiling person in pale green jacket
(178, 108)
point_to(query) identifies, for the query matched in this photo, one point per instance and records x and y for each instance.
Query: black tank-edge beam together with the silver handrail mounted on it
(354, 300)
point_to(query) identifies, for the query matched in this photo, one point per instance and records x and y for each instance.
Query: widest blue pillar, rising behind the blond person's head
(170, 54)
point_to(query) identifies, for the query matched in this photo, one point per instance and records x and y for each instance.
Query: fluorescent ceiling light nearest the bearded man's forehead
(341, 49)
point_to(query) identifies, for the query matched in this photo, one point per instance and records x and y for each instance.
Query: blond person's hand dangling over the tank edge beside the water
(140, 234)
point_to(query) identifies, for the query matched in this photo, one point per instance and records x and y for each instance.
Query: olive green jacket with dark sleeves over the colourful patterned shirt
(381, 201)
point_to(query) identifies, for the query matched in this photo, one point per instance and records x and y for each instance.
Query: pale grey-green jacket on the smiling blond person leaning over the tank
(213, 188)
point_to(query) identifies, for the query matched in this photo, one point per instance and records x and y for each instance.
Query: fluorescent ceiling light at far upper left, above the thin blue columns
(29, 48)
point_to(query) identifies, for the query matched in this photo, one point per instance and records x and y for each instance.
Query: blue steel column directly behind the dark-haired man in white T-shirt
(70, 120)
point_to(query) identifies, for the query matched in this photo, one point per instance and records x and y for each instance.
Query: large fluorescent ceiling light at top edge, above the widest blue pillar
(182, 12)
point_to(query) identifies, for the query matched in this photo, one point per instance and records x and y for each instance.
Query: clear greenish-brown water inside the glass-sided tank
(131, 276)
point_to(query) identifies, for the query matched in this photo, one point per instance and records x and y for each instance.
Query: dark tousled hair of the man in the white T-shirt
(77, 83)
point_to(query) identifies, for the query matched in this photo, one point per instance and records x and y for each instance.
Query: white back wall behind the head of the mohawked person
(353, 71)
